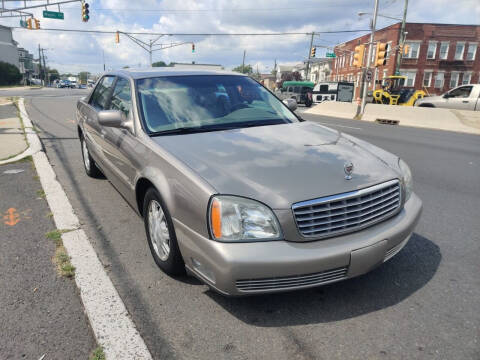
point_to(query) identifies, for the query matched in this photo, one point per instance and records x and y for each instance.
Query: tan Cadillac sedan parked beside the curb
(236, 189)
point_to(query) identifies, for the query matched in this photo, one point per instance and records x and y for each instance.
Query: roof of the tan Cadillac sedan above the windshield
(168, 71)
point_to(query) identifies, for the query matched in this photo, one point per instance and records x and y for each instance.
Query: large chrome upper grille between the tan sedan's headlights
(348, 212)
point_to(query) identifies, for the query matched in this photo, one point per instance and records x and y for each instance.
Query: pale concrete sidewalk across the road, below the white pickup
(432, 118)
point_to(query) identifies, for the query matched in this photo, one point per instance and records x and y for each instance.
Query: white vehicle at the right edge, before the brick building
(464, 97)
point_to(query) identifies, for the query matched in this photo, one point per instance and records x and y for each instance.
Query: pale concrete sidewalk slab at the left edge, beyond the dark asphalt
(13, 140)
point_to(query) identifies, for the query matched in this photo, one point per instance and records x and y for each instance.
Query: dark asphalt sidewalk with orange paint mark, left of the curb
(40, 309)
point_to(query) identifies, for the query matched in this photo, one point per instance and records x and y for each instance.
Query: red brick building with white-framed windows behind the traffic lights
(440, 56)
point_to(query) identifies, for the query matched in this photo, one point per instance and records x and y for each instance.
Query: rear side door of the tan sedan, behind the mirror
(94, 133)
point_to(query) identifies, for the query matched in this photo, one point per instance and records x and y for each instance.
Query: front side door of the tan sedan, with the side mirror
(120, 144)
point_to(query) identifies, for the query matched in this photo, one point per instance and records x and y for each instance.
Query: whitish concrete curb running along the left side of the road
(113, 328)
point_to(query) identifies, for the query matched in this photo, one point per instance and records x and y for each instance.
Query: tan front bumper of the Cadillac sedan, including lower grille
(273, 266)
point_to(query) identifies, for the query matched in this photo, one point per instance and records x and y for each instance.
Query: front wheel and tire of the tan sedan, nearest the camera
(165, 251)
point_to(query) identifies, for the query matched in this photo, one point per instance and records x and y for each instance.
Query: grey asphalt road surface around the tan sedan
(422, 304)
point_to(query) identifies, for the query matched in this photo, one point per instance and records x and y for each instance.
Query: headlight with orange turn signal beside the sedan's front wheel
(235, 218)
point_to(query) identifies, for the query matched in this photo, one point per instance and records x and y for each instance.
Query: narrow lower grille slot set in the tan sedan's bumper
(292, 282)
